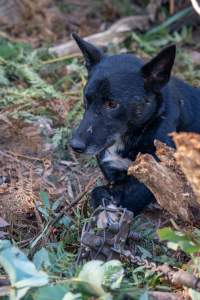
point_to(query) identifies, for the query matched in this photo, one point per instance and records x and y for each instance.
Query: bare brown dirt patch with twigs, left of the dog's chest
(28, 166)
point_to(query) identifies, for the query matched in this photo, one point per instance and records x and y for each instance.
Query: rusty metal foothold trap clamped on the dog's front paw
(104, 235)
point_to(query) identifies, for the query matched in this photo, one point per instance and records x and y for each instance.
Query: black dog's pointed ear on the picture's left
(91, 54)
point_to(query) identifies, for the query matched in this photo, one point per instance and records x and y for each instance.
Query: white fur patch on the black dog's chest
(112, 156)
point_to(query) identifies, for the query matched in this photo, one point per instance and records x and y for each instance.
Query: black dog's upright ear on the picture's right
(156, 73)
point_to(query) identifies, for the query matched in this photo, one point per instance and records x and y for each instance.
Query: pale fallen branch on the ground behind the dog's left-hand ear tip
(116, 33)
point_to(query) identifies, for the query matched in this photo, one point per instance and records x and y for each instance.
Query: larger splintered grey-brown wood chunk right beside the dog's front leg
(167, 182)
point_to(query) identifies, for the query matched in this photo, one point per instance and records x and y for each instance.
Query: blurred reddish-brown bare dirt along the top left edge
(48, 21)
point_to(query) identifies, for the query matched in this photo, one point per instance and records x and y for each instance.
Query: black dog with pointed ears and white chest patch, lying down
(129, 104)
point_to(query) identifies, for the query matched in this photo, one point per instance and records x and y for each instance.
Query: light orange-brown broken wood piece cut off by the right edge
(188, 157)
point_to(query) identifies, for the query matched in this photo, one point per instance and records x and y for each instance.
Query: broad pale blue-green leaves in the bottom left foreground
(95, 279)
